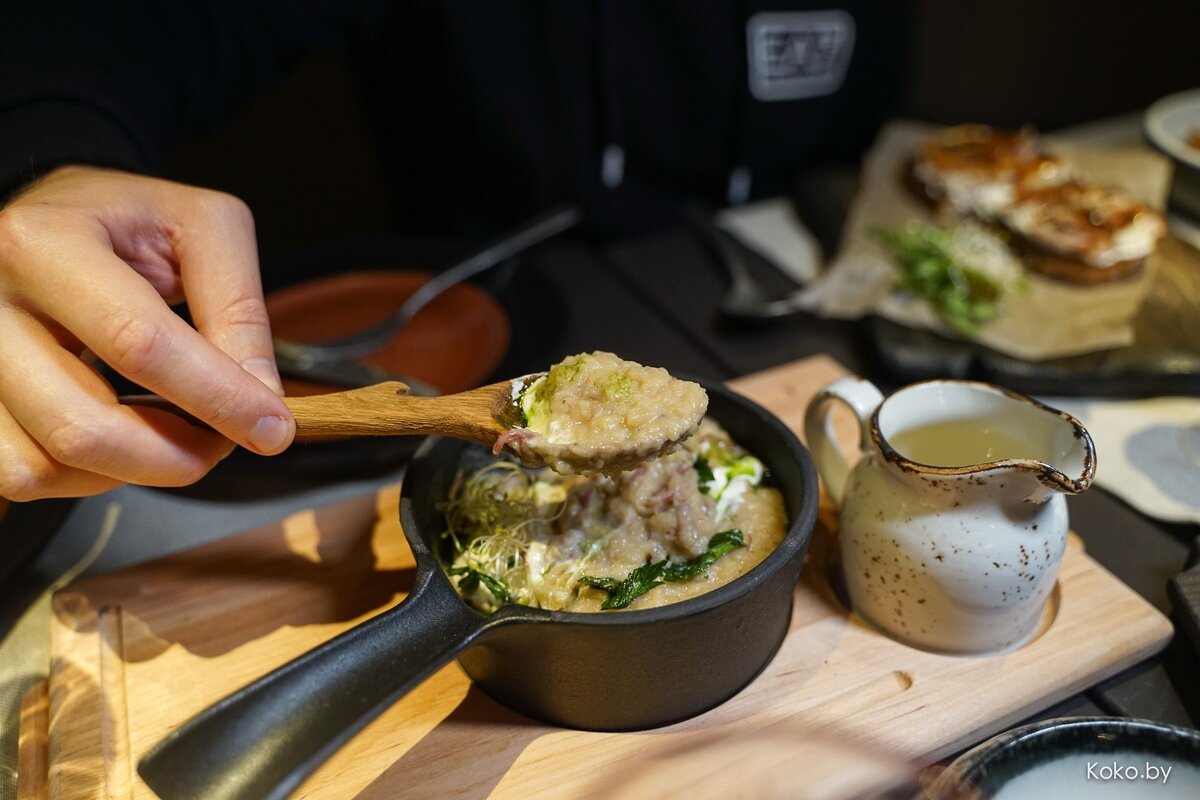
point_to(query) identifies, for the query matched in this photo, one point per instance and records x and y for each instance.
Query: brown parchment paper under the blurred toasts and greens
(1052, 320)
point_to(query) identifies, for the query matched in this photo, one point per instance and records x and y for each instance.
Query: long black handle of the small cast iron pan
(265, 739)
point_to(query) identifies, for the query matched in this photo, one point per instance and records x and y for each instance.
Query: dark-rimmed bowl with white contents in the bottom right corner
(1096, 754)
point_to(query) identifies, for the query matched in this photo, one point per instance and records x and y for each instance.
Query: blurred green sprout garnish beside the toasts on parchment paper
(965, 272)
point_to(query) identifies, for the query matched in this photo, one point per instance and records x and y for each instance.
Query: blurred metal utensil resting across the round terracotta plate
(335, 362)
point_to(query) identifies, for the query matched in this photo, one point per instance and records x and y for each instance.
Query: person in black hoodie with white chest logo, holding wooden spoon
(488, 112)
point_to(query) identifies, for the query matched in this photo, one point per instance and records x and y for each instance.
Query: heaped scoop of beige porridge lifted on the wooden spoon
(597, 413)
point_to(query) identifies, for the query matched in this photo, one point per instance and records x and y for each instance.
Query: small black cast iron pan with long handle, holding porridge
(677, 661)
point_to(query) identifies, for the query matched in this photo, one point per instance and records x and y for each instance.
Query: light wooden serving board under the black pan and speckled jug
(139, 652)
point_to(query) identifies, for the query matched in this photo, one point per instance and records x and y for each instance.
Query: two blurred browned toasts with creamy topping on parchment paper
(1059, 226)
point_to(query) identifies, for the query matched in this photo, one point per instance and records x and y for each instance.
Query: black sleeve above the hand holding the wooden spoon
(117, 82)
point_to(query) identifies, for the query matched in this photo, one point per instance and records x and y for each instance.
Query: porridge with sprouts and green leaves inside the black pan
(673, 528)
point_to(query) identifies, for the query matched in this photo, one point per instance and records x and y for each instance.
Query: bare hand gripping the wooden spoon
(89, 262)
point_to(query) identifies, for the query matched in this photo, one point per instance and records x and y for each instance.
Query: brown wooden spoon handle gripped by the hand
(388, 410)
